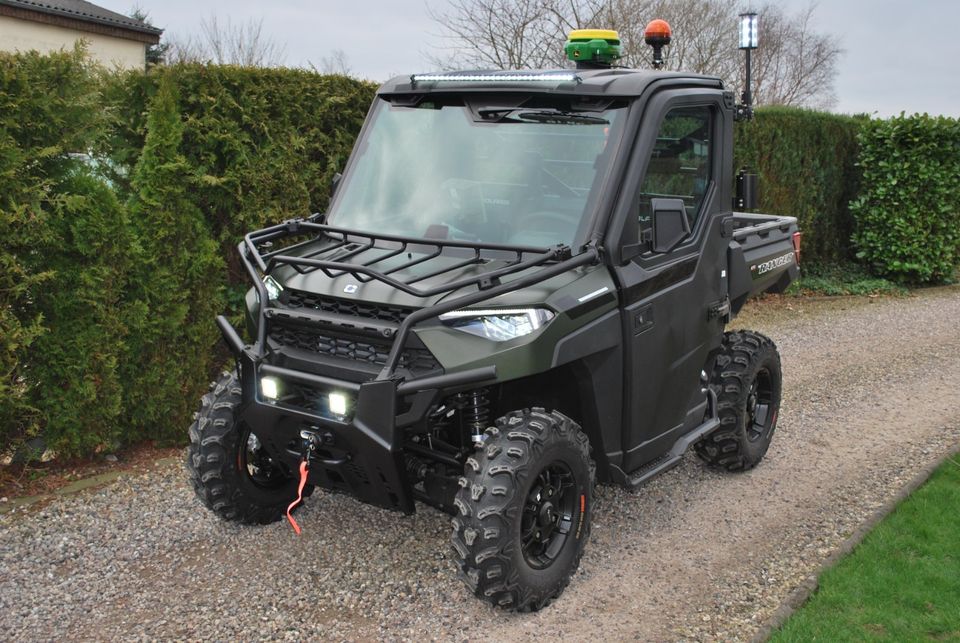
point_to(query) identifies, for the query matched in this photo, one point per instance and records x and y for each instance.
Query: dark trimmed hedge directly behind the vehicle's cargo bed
(806, 161)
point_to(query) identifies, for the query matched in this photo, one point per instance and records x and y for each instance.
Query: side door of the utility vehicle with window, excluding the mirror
(669, 321)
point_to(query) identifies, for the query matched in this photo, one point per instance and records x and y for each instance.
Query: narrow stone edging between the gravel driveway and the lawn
(799, 596)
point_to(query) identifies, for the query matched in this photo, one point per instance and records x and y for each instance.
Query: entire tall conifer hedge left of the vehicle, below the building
(111, 271)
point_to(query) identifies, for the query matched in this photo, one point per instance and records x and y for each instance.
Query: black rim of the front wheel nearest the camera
(548, 515)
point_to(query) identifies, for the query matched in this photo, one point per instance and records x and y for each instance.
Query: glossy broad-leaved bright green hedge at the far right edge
(908, 212)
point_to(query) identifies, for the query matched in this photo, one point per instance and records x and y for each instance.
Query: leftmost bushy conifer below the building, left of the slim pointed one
(63, 263)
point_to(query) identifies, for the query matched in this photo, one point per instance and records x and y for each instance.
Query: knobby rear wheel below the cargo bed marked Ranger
(747, 379)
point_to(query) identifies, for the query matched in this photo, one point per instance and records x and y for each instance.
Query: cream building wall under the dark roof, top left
(24, 35)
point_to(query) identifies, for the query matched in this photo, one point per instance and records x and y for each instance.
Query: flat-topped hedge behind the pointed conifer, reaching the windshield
(262, 144)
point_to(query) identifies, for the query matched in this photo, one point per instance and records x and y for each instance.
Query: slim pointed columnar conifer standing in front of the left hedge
(178, 288)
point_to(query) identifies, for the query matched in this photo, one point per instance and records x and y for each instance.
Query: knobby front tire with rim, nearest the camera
(524, 509)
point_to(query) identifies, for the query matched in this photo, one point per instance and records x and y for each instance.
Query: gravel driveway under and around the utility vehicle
(869, 399)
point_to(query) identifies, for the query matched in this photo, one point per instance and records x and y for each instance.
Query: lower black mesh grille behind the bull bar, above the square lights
(366, 350)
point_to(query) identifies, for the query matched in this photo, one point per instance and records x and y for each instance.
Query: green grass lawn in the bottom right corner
(902, 583)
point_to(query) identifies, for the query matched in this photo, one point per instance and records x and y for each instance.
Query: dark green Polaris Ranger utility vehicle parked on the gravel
(520, 287)
